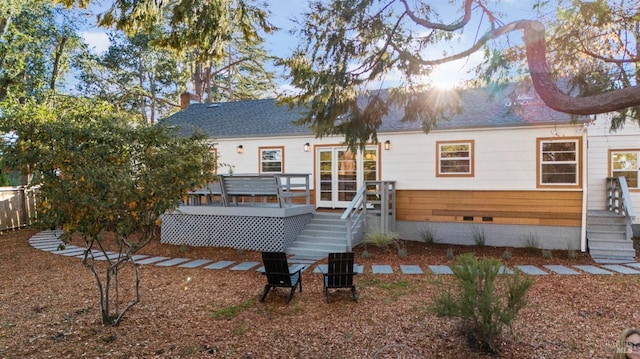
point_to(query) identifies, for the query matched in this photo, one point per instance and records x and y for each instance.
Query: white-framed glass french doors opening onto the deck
(340, 173)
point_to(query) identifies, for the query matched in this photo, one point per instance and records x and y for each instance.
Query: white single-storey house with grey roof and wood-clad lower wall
(515, 172)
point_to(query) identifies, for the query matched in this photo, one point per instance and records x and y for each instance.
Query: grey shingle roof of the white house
(256, 118)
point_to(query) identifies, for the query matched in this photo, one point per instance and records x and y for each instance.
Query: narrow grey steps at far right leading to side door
(608, 239)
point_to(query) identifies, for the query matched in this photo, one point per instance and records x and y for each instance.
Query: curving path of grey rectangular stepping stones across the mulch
(49, 241)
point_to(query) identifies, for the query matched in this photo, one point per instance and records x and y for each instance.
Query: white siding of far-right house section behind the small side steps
(601, 140)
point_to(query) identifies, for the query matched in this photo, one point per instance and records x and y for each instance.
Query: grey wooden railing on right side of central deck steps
(376, 198)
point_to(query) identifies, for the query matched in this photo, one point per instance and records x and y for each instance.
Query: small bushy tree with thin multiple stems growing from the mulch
(100, 174)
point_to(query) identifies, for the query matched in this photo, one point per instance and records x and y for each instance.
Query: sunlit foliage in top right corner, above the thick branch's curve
(595, 45)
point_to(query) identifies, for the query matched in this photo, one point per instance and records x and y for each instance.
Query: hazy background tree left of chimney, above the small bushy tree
(142, 78)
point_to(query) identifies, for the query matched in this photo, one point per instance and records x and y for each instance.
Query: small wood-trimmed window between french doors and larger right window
(455, 159)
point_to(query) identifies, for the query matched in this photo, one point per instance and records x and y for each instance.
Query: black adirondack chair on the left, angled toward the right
(279, 274)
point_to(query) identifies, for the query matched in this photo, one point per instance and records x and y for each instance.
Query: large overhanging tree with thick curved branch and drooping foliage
(349, 45)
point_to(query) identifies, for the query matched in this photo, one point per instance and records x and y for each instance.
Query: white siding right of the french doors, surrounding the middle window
(505, 159)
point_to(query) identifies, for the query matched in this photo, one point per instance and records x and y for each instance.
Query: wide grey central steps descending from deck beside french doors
(325, 233)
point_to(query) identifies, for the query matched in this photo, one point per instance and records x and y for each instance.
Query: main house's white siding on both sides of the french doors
(505, 159)
